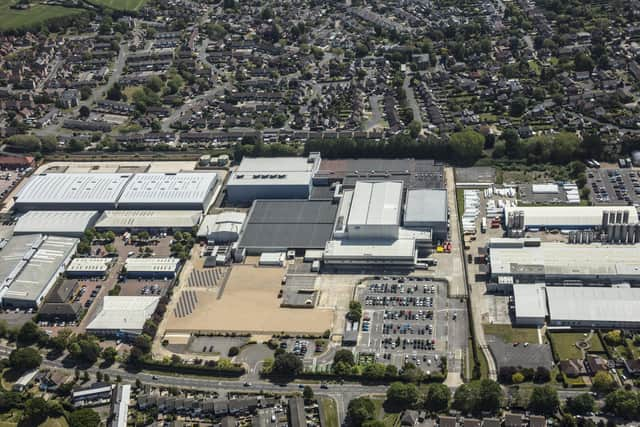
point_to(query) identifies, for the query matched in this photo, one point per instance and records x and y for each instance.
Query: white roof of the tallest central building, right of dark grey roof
(376, 203)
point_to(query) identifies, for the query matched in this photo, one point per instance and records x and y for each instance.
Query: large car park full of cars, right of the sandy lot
(410, 319)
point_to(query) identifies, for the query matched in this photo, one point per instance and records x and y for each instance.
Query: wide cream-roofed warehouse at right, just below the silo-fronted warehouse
(530, 261)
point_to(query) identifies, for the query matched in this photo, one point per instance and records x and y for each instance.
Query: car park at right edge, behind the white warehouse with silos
(614, 186)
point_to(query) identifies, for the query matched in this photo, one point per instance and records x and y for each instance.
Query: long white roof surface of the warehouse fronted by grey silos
(568, 216)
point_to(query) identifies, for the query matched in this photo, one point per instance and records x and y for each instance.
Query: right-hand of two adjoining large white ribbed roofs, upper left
(167, 188)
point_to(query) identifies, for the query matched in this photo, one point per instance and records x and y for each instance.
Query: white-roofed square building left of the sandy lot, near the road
(122, 313)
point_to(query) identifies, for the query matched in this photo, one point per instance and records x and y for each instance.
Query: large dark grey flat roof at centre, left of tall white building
(289, 224)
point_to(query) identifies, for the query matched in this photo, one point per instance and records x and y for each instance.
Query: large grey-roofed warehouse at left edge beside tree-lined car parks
(30, 266)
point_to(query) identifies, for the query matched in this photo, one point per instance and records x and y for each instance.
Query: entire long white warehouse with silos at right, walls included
(567, 217)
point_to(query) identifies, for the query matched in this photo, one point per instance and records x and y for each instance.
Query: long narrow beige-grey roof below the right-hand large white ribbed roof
(148, 219)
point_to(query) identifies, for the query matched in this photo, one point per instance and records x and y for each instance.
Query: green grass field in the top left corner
(13, 19)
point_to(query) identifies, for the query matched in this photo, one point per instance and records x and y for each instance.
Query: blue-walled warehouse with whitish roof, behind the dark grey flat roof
(272, 178)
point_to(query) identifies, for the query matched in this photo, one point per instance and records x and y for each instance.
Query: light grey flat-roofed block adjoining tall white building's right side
(426, 208)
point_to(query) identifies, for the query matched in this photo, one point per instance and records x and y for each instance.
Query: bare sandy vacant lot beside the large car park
(250, 303)
